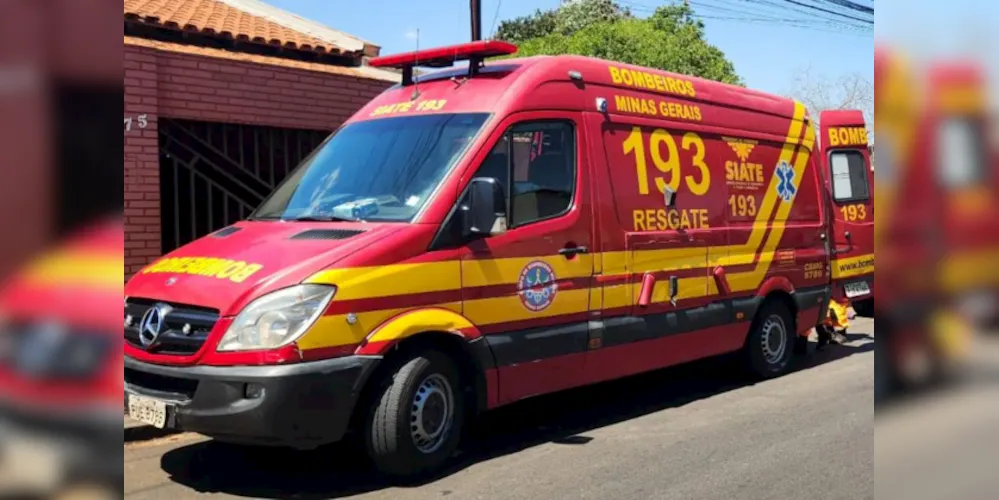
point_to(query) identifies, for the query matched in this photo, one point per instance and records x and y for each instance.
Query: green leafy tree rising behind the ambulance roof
(671, 39)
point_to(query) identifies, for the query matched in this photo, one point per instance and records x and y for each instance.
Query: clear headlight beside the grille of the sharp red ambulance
(277, 319)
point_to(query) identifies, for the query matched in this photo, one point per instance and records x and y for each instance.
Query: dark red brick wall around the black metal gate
(162, 84)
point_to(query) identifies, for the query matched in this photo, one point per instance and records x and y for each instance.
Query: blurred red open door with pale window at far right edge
(959, 127)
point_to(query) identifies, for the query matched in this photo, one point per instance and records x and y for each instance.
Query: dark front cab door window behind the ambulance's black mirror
(536, 164)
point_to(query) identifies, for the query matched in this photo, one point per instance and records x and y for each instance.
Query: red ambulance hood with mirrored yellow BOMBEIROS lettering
(228, 268)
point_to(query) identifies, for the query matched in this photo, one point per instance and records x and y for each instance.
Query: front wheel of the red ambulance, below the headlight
(415, 422)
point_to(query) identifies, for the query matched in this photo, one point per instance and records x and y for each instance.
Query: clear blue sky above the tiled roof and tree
(768, 56)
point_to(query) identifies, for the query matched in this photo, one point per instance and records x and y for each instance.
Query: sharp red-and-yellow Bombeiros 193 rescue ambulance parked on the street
(489, 234)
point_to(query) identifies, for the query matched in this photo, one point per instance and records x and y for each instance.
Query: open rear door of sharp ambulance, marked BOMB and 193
(849, 181)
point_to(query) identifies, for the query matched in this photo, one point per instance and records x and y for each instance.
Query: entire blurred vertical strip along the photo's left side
(62, 252)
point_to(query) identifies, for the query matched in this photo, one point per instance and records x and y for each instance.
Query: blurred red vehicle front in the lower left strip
(60, 362)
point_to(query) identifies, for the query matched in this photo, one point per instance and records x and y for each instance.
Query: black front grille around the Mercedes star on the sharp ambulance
(172, 340)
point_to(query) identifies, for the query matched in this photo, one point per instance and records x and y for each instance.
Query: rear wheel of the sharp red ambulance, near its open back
(771, 342)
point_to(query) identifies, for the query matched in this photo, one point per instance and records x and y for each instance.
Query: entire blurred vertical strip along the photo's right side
(937, 174)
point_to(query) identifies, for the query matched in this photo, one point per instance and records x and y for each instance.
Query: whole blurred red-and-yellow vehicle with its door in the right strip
(937, 190)
